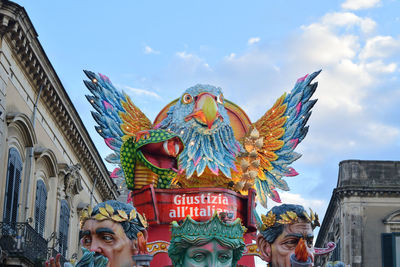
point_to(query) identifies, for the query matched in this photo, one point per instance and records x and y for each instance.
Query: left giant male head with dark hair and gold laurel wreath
(109, 235)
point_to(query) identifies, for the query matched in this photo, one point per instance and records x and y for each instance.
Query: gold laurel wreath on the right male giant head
(290, 217)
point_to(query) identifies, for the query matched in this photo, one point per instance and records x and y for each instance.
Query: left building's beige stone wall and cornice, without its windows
(55, 147)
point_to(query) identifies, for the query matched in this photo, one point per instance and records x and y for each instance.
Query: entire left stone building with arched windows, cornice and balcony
(49, 166)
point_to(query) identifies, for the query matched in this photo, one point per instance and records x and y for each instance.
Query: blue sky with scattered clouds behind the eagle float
(255, 51)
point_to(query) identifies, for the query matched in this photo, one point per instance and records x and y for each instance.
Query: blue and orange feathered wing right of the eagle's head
(282, 128)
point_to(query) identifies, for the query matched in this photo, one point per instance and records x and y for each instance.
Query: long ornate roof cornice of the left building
(17, 29)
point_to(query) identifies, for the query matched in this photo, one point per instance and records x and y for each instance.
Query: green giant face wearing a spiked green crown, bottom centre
(216, 243)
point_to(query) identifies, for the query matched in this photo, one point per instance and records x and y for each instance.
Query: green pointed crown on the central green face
(214, 227)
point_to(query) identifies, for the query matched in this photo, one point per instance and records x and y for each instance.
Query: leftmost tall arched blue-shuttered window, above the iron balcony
(14, 172)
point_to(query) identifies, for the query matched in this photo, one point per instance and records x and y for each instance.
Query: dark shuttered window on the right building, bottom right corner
(391, 249)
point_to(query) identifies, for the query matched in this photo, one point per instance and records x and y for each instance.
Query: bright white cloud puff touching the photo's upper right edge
(380, 47)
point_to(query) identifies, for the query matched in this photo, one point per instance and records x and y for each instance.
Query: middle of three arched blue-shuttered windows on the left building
(40, 207)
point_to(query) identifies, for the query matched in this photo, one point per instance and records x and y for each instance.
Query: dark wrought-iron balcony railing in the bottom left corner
(22, 241)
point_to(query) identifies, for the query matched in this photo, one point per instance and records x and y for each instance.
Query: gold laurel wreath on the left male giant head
(108, 213)
